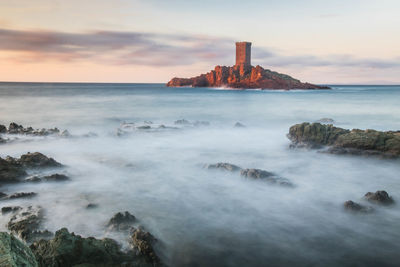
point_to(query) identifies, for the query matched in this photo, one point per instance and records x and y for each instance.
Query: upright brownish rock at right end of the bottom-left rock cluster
(142, 242)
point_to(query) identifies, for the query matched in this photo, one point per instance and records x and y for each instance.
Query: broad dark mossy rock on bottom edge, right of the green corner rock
(68, 249)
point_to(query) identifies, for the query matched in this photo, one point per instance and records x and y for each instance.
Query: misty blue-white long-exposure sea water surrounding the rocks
(212, 218)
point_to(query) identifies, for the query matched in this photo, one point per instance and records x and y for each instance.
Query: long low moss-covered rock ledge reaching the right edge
(343, 141)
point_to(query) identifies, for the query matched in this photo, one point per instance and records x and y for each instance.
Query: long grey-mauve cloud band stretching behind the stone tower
(152, 49)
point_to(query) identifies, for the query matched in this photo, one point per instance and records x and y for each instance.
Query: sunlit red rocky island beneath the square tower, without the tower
(243, 76)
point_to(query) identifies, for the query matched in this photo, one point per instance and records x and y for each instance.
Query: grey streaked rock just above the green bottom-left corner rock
(26, 222)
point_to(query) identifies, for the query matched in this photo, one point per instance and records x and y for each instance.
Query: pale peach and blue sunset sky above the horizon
(324, 42)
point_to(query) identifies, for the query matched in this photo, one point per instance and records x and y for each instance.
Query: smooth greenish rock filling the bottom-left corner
(14, 253)
